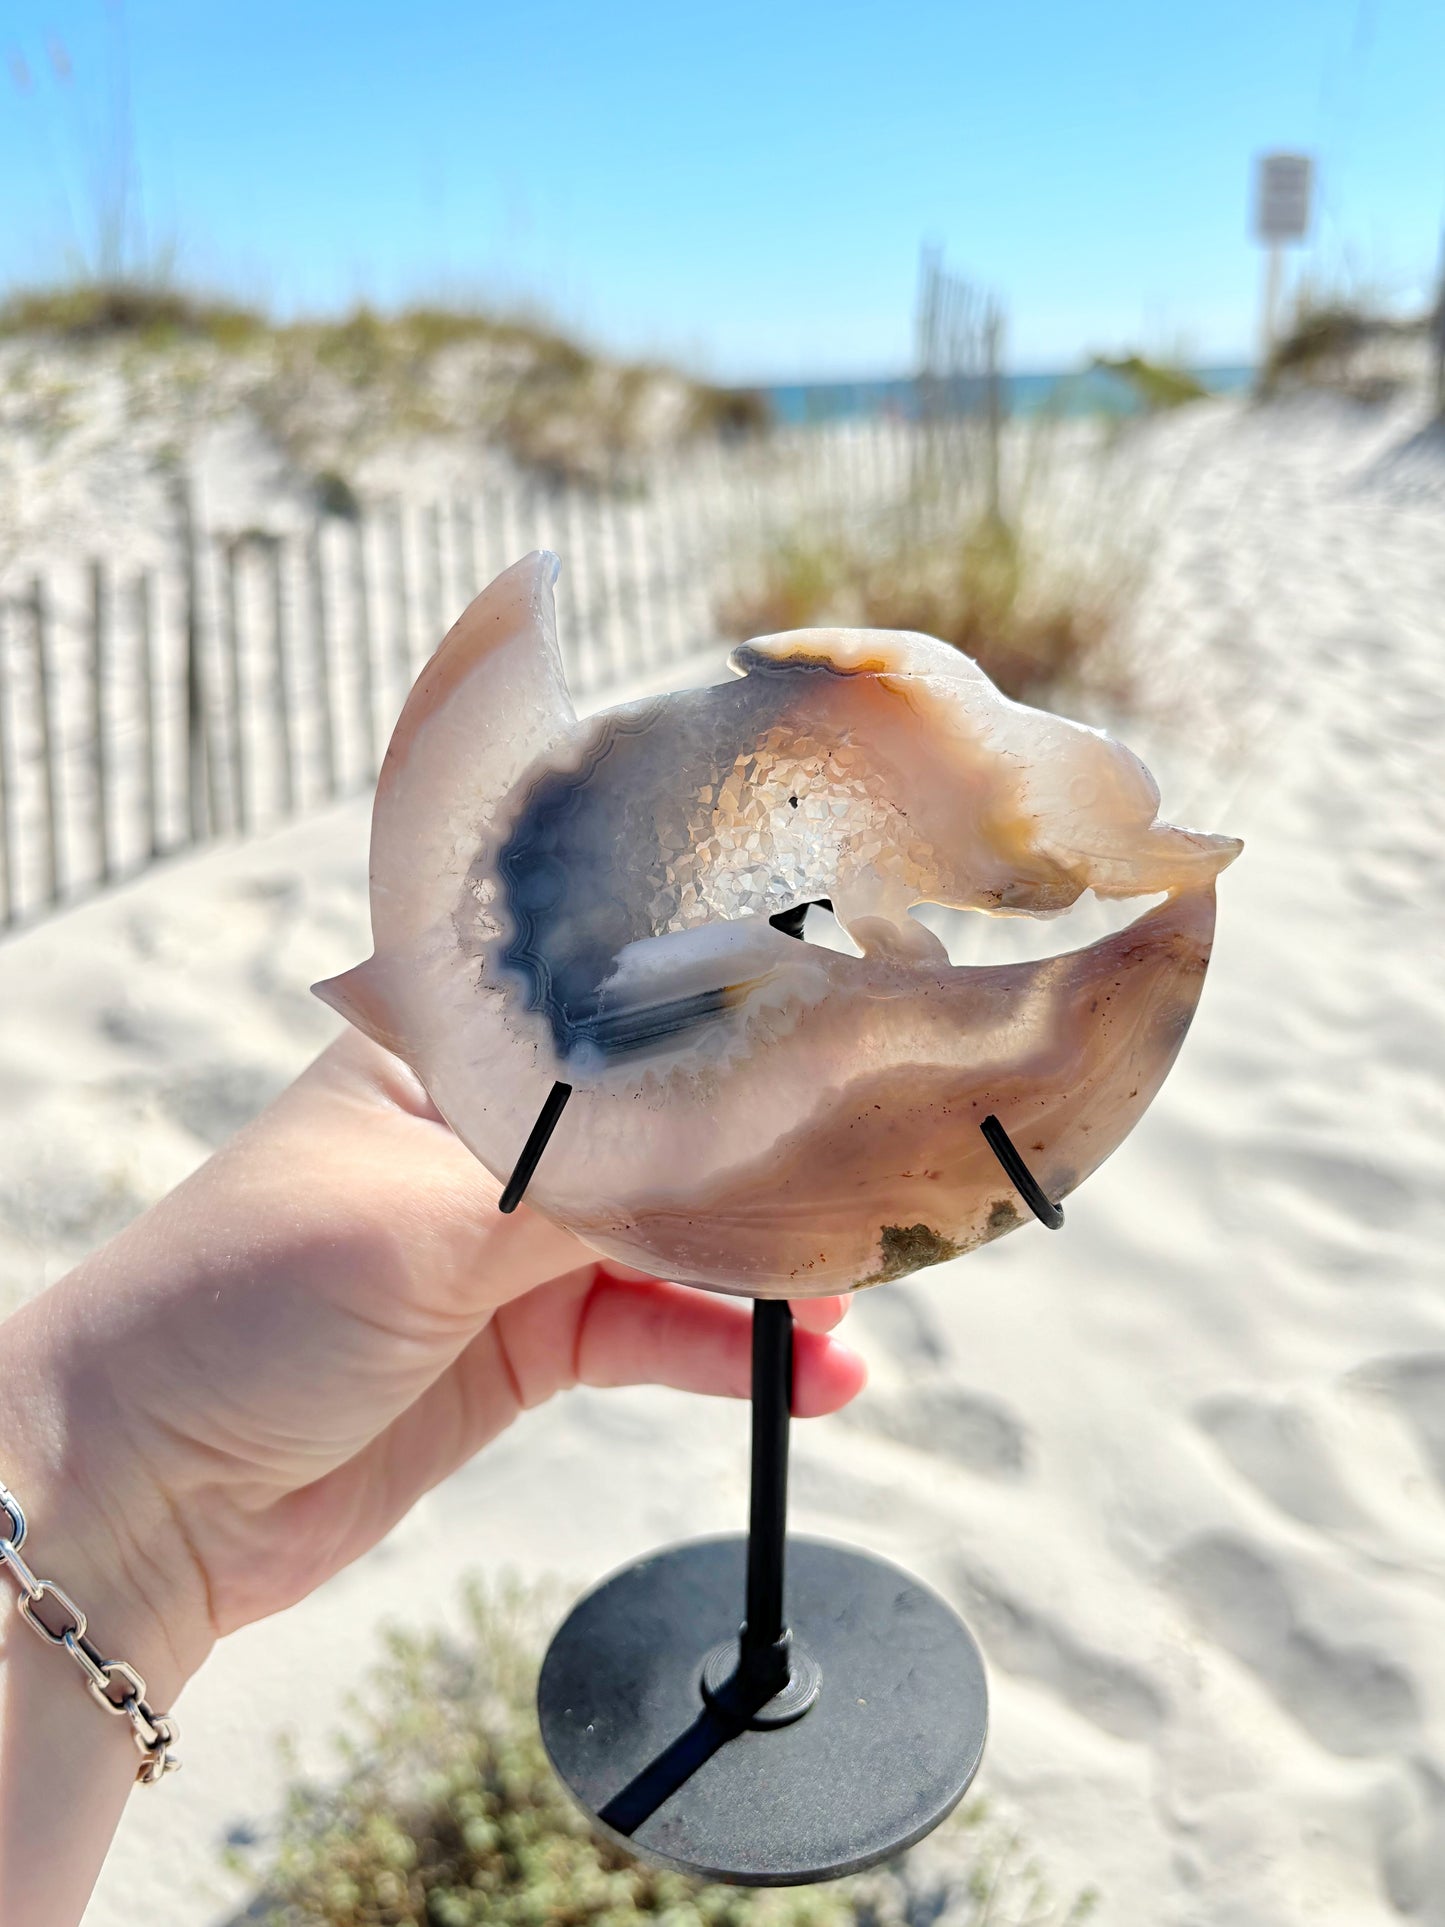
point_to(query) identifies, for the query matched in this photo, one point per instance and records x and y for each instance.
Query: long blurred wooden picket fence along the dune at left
(255, 677)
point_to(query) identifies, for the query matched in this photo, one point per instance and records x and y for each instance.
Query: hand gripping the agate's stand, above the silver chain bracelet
(251, 1385)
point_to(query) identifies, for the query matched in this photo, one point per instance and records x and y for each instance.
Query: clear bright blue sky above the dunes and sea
(745, 186)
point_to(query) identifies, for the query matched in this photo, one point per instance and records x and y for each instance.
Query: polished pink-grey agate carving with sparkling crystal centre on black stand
(589, 903)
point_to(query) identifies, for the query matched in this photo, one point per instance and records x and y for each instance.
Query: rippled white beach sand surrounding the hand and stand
(1182, 1465)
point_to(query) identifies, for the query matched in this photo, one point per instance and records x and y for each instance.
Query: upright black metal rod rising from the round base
(768, 1525)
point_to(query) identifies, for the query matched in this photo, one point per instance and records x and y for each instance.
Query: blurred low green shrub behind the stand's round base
(448, 1814)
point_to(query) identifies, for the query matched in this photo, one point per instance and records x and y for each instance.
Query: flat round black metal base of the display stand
(883, 1753)
